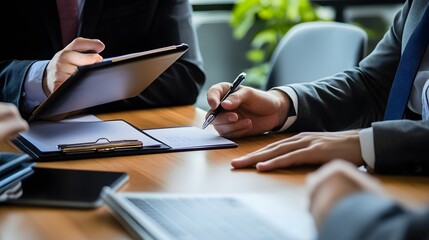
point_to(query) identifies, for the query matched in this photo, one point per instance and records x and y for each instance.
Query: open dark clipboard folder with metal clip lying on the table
(53, 141)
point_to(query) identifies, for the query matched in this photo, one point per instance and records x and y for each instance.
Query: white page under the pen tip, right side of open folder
(188, 137)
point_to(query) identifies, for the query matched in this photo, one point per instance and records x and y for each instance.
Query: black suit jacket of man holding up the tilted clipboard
(31, 31)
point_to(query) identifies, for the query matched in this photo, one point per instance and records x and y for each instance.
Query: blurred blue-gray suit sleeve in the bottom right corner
(366, 216)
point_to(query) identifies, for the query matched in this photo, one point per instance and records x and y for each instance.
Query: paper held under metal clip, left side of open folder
(46, 136)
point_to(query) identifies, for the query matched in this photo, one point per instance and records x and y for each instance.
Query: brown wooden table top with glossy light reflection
(181, 172)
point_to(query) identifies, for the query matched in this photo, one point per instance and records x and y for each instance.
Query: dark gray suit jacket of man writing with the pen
(357, 99)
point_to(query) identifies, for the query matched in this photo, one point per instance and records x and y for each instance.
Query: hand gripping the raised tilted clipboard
(66, 61)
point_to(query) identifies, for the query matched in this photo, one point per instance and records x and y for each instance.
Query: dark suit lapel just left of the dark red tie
(48, 8)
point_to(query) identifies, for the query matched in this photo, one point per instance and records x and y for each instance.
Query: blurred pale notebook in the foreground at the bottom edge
(175, 216)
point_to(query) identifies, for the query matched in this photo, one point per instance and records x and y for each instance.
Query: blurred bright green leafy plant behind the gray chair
(268, 21)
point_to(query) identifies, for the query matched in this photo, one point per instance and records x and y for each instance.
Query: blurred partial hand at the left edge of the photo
(10, 121)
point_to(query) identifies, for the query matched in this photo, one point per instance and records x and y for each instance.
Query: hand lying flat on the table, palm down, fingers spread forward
(305, 148)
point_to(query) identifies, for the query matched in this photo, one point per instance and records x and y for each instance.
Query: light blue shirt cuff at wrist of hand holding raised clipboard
(34, 94)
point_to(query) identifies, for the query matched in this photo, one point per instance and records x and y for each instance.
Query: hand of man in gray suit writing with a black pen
(247, 111)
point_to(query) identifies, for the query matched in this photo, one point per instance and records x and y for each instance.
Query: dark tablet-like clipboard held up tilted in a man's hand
(111, 80)
